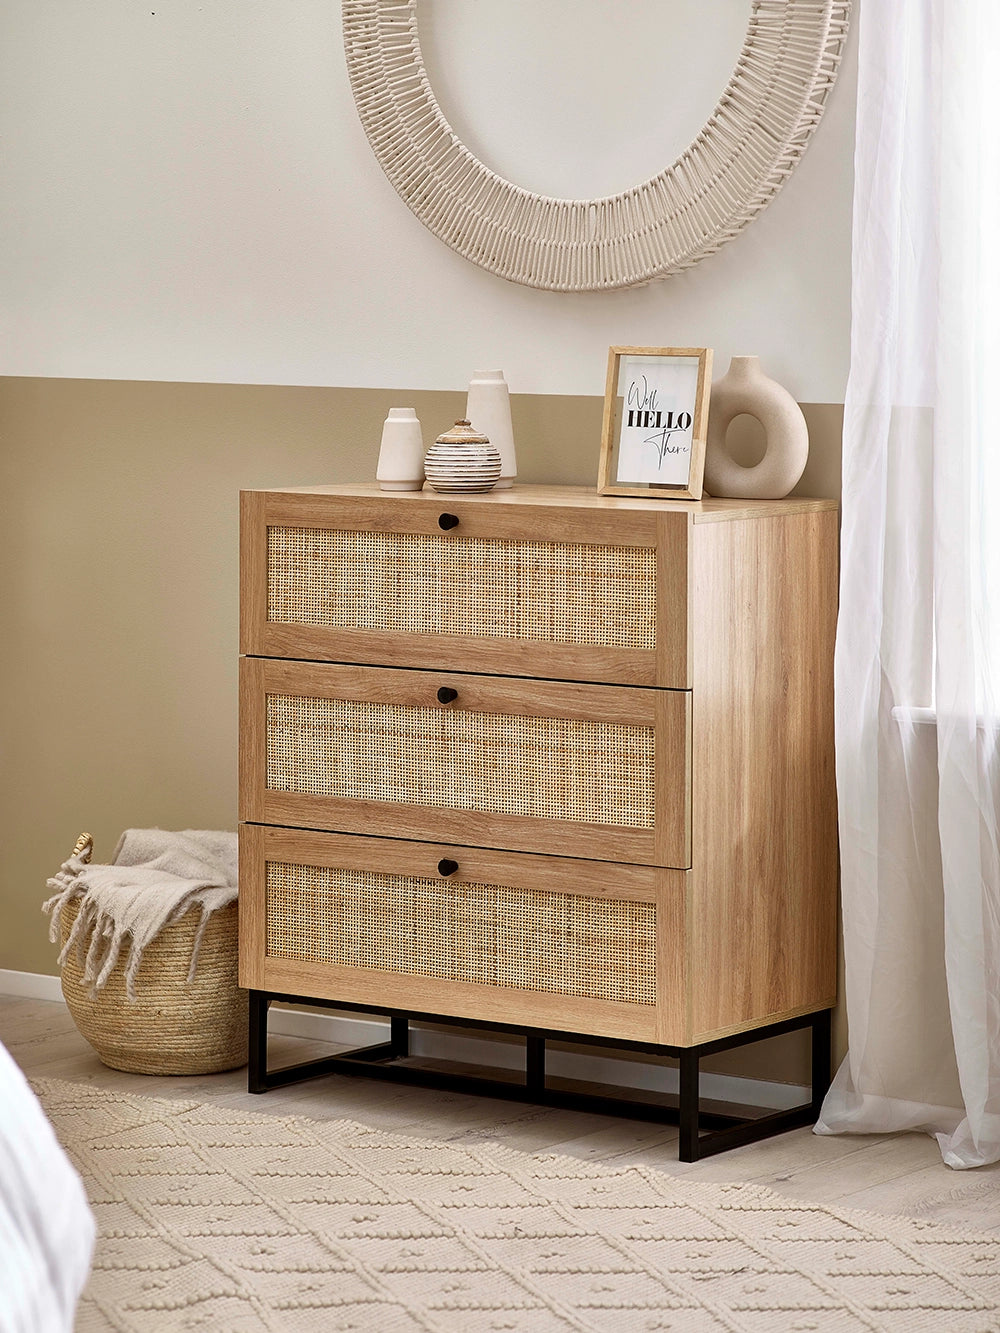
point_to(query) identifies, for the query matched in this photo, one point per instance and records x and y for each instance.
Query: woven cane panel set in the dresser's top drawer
(494, 589)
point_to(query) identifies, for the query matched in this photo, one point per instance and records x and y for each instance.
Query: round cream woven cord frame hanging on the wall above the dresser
(738, 163)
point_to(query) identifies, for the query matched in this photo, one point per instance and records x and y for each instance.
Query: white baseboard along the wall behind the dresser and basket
(343, 1031)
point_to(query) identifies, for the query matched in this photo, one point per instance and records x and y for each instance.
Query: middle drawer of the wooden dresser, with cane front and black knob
(593, 771)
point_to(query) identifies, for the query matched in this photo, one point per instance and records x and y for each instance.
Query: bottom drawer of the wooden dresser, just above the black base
(509, 938)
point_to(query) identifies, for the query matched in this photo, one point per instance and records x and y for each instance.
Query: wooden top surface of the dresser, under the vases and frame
(710, 510)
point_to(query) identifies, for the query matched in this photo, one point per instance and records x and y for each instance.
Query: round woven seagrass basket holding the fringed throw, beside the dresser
(174, 1026)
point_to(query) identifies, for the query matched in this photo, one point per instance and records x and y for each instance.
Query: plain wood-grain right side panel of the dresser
(763, 788)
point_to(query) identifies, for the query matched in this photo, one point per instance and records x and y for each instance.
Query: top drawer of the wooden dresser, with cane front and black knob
(475, 585)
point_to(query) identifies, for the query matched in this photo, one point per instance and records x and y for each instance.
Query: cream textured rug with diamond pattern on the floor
(238, 1223)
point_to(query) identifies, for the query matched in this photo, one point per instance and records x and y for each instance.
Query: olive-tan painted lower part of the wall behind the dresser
(119, 601)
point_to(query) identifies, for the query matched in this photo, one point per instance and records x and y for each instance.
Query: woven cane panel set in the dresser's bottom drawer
(487, 934)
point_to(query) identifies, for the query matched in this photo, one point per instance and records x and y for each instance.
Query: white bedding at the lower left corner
(46, 1223)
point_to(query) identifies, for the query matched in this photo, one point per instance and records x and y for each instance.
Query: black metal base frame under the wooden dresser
(703, 1130)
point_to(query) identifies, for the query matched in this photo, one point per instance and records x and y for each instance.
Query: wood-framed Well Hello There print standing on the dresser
(655, 422)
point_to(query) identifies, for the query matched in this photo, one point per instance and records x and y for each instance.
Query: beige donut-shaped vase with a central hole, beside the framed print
(745, 389)
